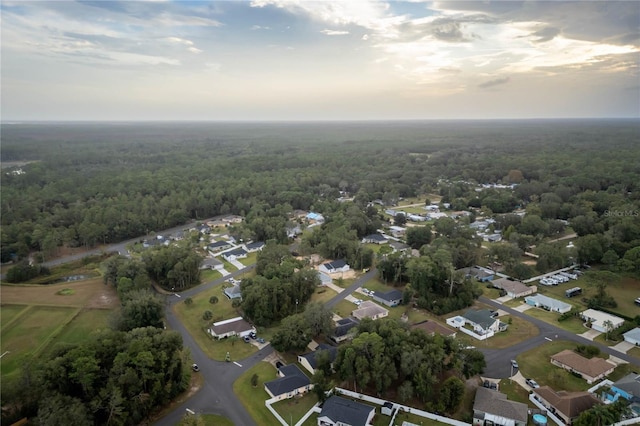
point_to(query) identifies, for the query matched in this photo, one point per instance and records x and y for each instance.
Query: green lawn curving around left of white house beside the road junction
(191, 317)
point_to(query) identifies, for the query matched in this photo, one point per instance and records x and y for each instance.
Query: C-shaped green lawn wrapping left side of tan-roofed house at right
(536, 364)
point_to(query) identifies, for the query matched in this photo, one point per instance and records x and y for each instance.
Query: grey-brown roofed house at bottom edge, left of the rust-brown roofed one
(492, 408)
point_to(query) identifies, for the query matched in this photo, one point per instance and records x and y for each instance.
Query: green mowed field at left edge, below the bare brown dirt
(26, 338)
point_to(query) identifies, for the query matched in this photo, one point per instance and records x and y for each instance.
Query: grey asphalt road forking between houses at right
(498, 360)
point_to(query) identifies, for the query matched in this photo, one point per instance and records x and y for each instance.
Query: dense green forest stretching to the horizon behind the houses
(86, 184)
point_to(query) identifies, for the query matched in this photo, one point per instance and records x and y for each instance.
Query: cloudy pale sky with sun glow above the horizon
(318, 60)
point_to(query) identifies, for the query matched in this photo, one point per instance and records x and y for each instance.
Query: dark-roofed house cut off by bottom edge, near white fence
(338, 411)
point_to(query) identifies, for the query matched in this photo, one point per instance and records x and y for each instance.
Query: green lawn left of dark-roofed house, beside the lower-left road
(253, 398)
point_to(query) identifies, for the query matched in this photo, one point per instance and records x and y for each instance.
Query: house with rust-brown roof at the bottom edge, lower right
(565, 405)
